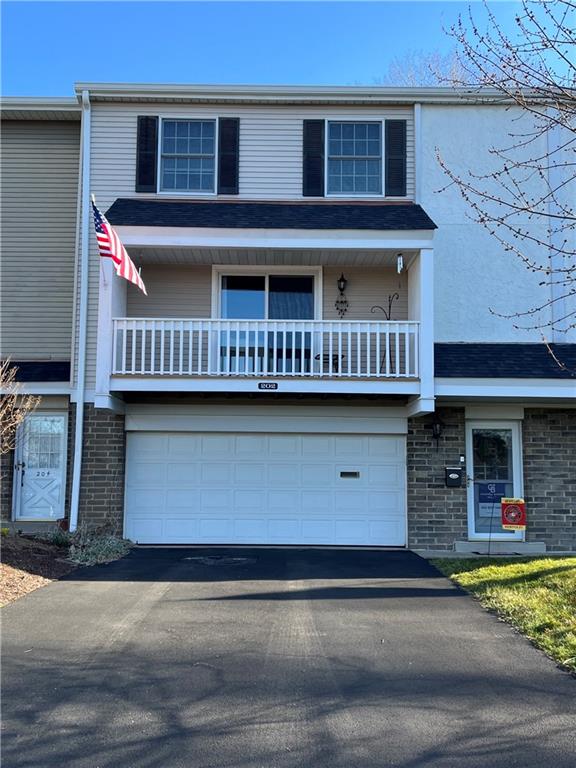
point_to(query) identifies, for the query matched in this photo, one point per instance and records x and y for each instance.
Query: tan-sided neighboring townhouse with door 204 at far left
(40, 151)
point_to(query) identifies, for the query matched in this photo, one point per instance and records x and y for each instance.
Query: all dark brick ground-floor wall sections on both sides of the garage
(437, 516)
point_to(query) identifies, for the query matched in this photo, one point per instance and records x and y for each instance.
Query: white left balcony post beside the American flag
(111, 303)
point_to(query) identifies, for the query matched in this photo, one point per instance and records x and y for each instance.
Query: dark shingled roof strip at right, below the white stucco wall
(511, 361)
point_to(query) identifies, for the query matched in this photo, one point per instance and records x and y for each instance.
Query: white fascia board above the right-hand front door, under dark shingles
(541, 389)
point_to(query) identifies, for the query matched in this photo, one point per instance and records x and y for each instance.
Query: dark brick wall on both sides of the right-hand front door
(437, 516)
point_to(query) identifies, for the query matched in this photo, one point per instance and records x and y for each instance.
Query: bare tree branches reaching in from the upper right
(526, 201)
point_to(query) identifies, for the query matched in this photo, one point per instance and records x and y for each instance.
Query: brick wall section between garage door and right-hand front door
(436, 514)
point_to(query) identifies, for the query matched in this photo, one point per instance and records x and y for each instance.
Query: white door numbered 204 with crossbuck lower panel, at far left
(40, 467)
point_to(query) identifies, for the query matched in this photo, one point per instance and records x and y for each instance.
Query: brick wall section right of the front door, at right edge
(549, 452)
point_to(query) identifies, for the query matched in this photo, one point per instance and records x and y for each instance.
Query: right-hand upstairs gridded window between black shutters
(354, 158)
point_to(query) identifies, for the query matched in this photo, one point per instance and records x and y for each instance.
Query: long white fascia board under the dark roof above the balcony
(204, 237)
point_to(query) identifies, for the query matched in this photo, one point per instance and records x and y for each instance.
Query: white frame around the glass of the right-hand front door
(517, 463)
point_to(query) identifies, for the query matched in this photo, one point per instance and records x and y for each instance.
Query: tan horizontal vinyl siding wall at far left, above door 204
(38, 222)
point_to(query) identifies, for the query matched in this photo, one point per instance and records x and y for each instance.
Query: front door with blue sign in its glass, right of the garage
(494, 471)
